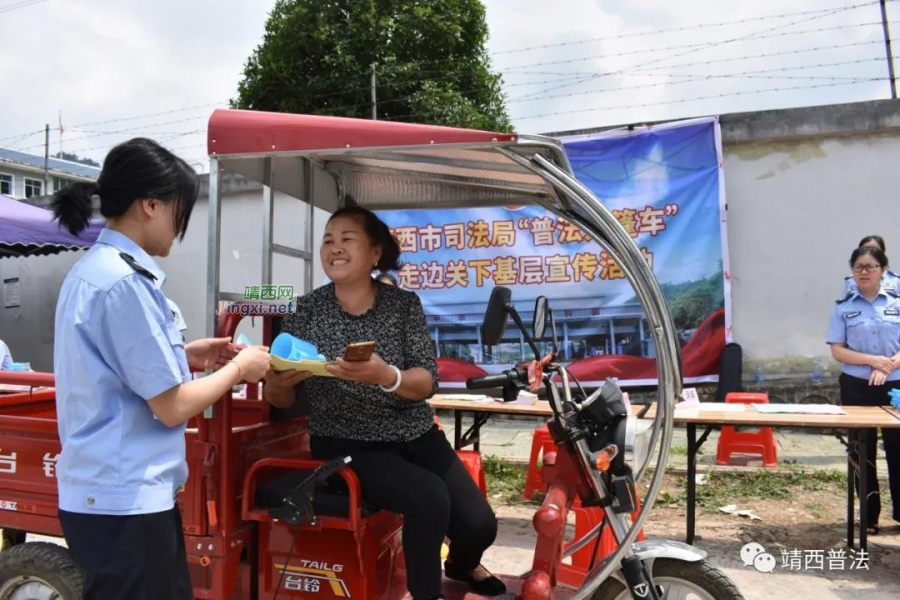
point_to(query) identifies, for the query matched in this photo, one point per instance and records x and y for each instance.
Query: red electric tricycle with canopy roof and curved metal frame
(262, 519)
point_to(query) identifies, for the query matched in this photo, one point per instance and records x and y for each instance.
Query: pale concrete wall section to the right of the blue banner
(796, 210)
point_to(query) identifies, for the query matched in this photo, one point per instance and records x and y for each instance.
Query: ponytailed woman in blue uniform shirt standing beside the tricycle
(123, 386)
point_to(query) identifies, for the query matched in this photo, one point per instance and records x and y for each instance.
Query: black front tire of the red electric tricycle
(699, 574)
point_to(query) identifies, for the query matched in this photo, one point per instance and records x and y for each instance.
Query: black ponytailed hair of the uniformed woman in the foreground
(133, 170)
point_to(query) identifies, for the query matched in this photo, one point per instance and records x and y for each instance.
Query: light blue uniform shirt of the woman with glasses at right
(867, 327)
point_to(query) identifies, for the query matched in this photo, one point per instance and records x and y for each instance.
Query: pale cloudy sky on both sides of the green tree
(116, 69)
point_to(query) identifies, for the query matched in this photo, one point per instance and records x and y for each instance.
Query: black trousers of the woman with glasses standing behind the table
(858, 392)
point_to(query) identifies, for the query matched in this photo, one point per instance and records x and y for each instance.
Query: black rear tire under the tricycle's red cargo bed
(43, 564)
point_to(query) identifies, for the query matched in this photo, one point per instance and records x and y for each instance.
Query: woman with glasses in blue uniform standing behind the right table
(864, 334)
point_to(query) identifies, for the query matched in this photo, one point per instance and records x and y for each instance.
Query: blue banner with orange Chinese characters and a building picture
(664, 185)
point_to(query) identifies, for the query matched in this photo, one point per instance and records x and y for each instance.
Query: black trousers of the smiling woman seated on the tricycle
(424, 481)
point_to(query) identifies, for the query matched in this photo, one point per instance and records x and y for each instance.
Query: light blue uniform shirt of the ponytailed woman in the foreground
(116, 346)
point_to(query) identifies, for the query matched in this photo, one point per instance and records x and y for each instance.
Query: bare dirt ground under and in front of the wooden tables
(788, 528)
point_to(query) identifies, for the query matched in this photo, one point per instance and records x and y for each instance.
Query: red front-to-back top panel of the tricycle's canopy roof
(233, 132)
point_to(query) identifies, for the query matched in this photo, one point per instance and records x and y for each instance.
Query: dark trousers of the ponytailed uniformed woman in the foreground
(129, 557)
